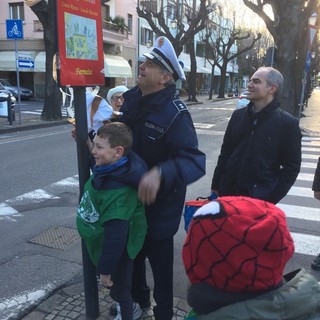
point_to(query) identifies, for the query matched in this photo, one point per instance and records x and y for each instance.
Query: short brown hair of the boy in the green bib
(118, 134)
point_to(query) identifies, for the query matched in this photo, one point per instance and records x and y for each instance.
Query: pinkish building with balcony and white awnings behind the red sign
(119, 22)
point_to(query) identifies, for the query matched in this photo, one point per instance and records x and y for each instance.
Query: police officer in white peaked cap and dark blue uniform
(164, 136)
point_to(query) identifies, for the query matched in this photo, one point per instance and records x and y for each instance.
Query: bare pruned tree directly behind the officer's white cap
(190, 20)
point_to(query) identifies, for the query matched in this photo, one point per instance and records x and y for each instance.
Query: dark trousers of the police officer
(160, 255)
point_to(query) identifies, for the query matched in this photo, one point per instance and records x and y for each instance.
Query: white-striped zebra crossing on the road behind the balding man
(299, 204)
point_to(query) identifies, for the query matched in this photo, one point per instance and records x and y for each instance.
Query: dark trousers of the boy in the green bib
(121, 289)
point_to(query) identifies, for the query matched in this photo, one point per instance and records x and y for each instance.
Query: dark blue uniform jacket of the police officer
(164, 136)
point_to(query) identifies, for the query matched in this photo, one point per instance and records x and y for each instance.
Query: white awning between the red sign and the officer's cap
(116, 67)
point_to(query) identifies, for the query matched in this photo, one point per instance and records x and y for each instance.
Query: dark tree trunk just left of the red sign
(46, 13)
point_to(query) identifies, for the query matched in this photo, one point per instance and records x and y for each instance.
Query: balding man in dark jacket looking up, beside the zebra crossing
(261, 152)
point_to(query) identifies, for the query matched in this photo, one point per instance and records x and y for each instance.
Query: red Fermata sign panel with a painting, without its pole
(80, 60)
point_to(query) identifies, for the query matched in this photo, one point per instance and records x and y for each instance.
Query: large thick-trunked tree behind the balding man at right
(288, 26)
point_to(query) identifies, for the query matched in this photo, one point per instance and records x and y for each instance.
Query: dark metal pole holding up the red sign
(89, 270)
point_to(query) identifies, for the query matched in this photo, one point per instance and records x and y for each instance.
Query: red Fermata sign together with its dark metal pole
(80, 66)
